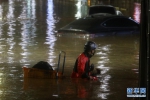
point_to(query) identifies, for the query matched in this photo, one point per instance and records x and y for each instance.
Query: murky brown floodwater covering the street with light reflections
(28, 35)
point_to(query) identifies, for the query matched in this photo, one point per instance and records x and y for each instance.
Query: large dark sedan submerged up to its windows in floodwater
(103, 25)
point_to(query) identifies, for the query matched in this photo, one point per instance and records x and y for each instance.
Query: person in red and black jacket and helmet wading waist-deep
(82, 67)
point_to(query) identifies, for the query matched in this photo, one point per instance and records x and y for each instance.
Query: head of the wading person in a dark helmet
(89, 48)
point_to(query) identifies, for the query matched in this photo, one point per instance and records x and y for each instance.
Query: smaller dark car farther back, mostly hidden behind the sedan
(104, 9)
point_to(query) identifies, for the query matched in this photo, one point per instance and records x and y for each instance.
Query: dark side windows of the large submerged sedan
(119, 22)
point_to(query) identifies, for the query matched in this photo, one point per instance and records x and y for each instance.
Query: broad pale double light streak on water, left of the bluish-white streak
(28, 31)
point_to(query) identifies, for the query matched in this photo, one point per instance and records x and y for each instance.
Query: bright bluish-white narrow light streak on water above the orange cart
(50, 38)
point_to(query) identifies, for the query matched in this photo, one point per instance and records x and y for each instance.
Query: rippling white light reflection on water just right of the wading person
(103, 53)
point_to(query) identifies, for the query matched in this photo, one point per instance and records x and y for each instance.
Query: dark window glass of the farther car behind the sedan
(102, 9)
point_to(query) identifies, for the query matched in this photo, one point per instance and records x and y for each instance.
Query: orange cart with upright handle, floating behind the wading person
(44, 73)
